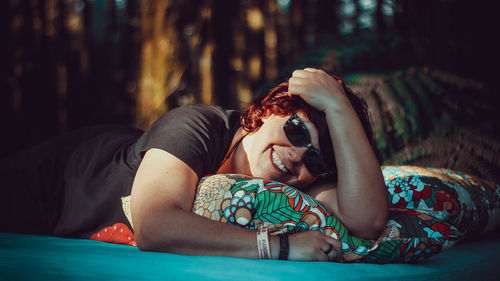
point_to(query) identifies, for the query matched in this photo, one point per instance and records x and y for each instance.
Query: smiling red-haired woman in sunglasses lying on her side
(287, 144)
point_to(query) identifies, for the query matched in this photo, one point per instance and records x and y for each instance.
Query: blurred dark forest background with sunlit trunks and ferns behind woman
(427, 68)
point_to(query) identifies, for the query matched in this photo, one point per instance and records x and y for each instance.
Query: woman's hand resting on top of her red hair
(318, 89)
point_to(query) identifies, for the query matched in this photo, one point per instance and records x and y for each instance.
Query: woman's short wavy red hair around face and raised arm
(279, 102)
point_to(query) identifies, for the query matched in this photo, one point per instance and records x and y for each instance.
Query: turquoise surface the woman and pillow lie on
(32, 257)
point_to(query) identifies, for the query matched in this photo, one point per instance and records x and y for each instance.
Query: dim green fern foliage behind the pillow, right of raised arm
(433, 118)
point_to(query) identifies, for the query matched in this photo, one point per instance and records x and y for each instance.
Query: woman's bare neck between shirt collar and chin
(235, 160)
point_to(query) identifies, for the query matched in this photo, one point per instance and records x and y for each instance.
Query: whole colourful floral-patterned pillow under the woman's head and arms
(431, 209)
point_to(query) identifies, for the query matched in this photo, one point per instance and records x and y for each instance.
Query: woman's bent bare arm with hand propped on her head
(359, 200)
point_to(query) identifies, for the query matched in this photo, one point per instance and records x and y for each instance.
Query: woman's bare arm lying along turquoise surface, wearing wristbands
(162, 197)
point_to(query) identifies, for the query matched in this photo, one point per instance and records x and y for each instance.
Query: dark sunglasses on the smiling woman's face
(298, 135)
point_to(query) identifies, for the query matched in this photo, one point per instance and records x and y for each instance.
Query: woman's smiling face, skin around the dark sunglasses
(271, 155)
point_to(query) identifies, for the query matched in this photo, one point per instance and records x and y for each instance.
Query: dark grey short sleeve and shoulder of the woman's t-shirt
(199, 135)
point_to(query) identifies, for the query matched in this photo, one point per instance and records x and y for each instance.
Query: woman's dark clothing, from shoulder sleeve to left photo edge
(72, 186)
